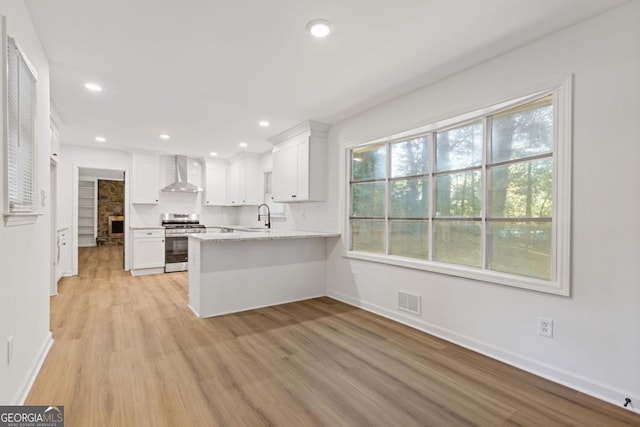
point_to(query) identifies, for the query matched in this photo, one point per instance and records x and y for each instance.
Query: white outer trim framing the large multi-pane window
(562, 150)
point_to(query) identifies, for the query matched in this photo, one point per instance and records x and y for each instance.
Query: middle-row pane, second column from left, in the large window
(410, 198)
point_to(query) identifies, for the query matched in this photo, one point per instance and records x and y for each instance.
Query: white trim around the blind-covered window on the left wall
(12, 219)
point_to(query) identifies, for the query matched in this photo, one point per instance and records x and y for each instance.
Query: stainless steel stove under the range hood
(176, 247)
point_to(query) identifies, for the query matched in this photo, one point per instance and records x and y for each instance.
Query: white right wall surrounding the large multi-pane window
(596, 343)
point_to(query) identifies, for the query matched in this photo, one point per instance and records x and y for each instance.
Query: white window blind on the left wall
(21, 132)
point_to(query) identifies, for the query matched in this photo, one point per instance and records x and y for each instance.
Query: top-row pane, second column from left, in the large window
(410, 158)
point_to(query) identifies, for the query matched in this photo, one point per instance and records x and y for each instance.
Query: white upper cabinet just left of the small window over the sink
(243, 180)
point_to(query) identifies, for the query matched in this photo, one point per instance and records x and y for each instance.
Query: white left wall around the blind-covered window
(25, 251)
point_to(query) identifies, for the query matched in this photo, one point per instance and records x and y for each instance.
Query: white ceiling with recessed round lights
(206, 71)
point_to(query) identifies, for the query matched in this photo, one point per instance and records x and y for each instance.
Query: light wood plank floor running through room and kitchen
(129, 352)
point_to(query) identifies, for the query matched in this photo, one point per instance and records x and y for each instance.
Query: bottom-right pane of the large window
(521, 248)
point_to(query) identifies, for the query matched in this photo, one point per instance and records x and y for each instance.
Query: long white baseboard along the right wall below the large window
(574, 381)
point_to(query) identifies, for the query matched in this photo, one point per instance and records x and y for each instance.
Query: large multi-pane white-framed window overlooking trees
(484, 195)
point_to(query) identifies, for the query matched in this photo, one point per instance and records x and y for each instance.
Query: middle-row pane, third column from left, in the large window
(459, 195)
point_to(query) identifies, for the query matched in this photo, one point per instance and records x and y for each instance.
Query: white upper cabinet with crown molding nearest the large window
(300, 162)
